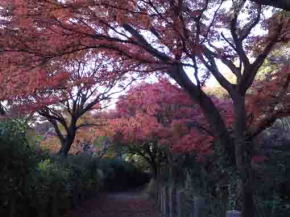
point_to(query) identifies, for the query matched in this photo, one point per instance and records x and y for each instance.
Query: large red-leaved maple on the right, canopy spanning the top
(165, 36)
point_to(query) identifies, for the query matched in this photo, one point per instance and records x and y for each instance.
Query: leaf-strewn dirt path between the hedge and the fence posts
(125, 204)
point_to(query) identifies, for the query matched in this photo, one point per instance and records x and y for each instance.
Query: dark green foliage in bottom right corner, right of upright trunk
(273, 192)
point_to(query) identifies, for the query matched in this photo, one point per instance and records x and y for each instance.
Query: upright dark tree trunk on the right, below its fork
(243, 154)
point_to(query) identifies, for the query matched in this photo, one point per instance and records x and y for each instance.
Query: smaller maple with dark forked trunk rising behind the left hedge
(88, 86)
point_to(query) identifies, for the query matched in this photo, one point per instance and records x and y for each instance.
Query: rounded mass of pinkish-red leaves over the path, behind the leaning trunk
(164, 113)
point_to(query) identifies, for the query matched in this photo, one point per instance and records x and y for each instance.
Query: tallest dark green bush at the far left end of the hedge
(17, 159)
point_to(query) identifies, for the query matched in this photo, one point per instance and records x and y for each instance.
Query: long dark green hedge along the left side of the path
(35, 183)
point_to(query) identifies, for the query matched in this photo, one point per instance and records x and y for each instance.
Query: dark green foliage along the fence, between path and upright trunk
(199, 178)
